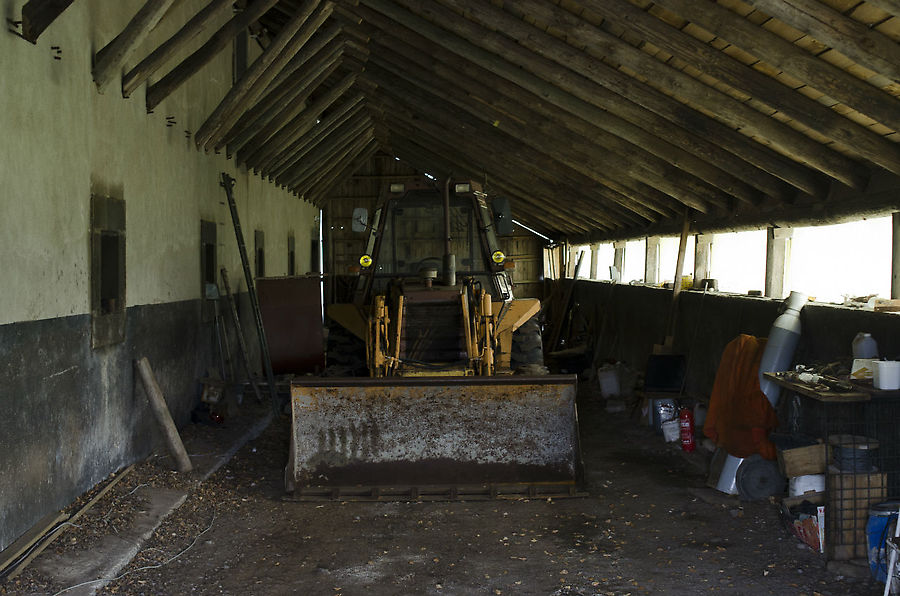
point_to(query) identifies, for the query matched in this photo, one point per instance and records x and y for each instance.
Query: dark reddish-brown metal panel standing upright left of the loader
(292, 316)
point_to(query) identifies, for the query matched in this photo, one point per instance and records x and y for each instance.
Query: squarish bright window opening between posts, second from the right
(738, 261)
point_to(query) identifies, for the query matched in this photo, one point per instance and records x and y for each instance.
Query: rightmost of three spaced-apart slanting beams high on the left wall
(216, 43)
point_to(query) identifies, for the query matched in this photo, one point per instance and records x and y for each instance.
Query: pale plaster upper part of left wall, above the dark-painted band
(62, 140)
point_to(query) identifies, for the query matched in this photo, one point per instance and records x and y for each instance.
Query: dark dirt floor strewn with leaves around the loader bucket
(649, 526)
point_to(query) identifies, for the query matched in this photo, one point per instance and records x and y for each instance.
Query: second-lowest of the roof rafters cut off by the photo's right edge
(793, 60)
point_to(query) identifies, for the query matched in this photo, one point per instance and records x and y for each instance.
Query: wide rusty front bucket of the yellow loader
(434, 437)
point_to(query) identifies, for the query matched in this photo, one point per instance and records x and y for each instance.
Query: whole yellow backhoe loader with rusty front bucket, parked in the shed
(442, 414)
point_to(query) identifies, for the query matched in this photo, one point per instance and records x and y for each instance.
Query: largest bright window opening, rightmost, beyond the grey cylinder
(851, 259)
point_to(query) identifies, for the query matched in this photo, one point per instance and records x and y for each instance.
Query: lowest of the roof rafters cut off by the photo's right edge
(806, 111)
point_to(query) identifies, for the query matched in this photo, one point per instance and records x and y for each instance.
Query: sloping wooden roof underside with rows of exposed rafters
(596, 118)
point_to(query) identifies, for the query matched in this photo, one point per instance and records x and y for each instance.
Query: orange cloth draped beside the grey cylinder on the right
(740, 418)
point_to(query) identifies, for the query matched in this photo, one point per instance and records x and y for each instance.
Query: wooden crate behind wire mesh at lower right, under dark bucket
(849, 497)
